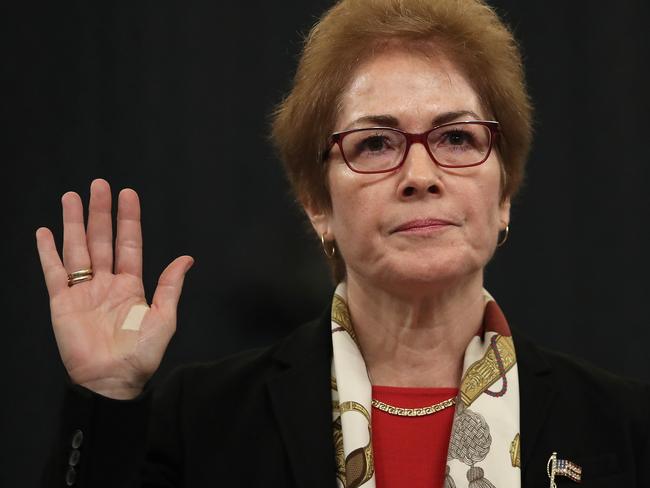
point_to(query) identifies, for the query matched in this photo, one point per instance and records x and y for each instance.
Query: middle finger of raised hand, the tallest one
(100, 226)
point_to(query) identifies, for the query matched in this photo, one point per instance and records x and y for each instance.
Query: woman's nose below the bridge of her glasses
(420, 175)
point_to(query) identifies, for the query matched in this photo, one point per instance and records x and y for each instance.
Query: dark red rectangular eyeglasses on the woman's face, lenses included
(383, 149)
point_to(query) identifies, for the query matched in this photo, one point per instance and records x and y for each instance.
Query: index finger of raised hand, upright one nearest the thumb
(128, 245)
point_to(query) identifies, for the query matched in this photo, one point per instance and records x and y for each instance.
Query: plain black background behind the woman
(172, 99)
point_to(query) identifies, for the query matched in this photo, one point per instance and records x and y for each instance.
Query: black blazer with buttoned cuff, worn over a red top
(263, 418)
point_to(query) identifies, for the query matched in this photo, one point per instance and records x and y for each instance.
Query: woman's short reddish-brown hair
(467, 32)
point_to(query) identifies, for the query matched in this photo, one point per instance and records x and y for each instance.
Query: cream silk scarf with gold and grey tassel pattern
(484, 443)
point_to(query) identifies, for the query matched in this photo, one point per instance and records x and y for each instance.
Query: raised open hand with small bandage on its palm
(110, 341)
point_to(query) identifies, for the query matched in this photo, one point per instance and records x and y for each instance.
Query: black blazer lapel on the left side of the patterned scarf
(301, 398)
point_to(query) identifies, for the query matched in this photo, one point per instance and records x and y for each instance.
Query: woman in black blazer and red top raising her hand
(404, 136)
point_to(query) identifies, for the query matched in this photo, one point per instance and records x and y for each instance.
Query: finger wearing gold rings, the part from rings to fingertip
(75, 249)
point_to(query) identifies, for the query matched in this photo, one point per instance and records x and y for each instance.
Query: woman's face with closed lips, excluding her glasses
(420, 225)
